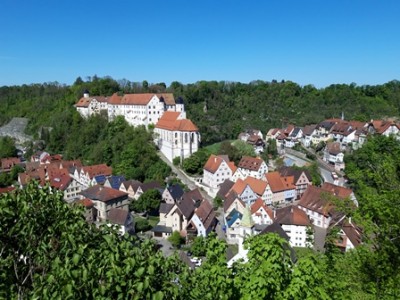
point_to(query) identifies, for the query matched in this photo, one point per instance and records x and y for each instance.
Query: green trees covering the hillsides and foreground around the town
(47, 250)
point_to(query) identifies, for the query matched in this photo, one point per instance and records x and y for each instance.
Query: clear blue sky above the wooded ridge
(317, 42)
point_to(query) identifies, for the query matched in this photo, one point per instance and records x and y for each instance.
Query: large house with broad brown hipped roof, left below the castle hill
(104, 199)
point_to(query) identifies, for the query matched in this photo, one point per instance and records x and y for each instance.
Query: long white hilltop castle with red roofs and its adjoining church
(174, 135)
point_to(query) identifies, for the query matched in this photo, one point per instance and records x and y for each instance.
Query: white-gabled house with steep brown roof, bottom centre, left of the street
(203, 220)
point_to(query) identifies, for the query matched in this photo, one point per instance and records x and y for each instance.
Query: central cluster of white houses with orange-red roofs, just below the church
(251, 179)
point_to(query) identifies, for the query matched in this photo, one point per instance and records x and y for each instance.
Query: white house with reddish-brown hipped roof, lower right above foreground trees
(296, 224)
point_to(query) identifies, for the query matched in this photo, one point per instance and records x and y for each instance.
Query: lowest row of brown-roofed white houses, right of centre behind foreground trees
(316, 208)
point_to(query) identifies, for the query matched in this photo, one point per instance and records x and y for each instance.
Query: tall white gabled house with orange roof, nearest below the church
(216, 170)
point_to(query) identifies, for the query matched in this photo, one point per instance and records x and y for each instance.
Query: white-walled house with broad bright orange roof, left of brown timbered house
(282, 187)
